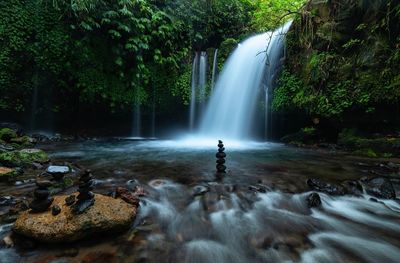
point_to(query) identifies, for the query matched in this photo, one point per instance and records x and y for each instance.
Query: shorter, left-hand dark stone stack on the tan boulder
(42, 199)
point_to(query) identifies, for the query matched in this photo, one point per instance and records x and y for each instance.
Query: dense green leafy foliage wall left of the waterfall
(112, 54)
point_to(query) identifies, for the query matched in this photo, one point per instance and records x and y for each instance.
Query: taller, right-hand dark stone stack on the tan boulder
(85, 196)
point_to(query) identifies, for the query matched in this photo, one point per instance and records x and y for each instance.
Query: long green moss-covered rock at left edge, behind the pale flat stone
(23, 157)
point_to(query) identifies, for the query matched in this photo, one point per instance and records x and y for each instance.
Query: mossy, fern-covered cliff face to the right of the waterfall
(343, 62)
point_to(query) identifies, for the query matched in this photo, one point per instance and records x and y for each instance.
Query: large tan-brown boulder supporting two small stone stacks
(107, 215)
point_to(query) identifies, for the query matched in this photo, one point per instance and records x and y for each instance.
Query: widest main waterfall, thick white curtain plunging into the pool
(232, 105)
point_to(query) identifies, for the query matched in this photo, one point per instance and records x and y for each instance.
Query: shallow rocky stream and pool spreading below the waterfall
(275, 204)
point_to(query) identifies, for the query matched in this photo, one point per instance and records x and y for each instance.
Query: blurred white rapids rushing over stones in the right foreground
(277, 227)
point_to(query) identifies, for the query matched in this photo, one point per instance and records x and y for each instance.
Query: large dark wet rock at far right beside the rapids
(379, 187)
